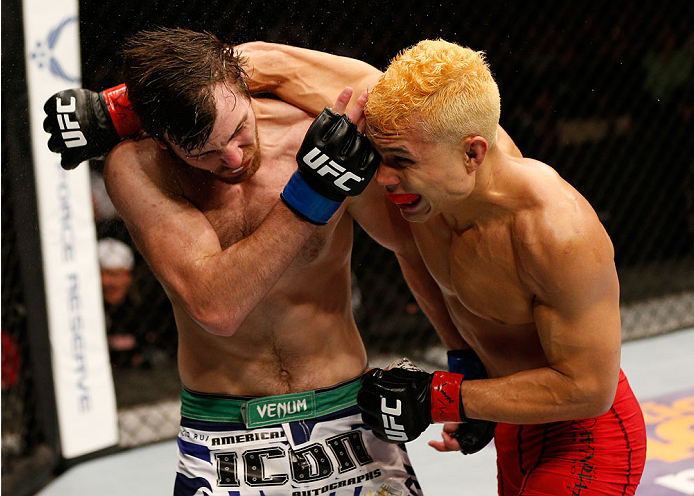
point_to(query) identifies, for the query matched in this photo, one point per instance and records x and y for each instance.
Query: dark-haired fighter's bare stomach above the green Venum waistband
(285, 345)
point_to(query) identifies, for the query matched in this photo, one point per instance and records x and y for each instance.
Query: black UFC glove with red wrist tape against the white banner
(84, 124)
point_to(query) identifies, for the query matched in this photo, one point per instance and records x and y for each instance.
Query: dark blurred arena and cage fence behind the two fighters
(602, 91)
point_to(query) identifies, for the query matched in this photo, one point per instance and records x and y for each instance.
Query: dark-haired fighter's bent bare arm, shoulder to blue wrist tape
(217, 287)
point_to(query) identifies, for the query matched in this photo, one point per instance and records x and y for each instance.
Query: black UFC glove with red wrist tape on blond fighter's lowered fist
(399, 403)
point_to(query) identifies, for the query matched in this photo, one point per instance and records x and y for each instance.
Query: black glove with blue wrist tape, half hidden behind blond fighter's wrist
(471, 434)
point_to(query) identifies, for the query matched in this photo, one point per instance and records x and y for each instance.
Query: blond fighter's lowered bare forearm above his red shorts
(536, 396)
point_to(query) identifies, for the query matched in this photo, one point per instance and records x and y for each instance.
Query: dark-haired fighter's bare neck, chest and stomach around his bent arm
(302, 334)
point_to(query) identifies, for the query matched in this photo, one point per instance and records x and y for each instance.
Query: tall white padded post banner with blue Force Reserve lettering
(85, 397)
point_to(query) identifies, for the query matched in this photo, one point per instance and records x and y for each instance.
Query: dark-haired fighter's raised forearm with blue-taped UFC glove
(308, 199)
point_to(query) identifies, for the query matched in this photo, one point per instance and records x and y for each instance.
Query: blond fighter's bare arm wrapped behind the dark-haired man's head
(308, 79)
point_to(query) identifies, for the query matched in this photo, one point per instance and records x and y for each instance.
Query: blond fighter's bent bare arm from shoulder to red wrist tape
(576, 312)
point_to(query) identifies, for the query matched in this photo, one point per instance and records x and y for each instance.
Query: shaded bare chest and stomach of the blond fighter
(472, 277)
